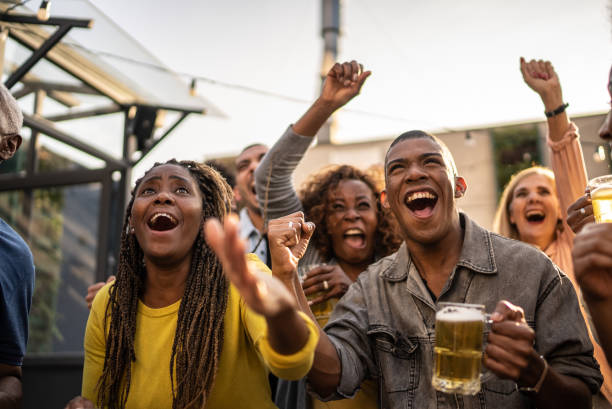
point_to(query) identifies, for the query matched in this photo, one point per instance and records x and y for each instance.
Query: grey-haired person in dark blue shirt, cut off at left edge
(16, 272)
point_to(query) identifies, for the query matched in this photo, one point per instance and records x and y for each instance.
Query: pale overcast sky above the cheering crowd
(436, 64)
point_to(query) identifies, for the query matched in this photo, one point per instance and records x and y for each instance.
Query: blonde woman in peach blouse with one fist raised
(533, 206)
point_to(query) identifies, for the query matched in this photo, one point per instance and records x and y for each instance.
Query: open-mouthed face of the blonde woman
(534, 210)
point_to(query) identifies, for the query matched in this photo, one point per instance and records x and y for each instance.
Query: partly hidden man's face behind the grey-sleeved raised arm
(246, 163)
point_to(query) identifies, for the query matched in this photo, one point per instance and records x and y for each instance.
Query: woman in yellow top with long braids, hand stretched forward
(171, 331)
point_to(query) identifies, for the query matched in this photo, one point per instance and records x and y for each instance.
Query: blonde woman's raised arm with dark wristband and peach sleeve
(566, 153)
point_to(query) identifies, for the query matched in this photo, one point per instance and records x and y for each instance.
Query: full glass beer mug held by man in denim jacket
(458, 348)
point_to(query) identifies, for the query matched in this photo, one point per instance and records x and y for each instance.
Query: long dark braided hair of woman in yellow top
(199, 331)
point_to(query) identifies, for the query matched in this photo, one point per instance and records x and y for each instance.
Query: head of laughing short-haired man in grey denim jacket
(421, 190)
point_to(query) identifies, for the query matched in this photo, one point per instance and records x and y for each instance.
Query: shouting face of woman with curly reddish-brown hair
(351, 221)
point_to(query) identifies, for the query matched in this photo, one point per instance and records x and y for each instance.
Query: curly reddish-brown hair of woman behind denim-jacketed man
(315, 200)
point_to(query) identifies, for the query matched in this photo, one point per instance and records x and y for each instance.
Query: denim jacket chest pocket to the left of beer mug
(398, 359)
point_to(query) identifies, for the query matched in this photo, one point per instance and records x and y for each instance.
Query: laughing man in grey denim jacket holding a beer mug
(538, 346)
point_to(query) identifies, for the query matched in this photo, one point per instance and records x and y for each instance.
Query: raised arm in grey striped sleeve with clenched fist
(273, 177)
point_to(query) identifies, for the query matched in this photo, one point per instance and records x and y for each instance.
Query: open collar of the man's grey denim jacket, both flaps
(476, 253)
